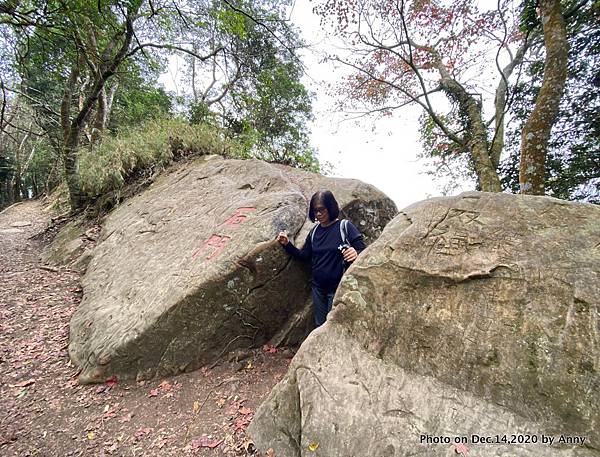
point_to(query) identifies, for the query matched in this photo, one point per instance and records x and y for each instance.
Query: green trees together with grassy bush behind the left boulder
(262, 106)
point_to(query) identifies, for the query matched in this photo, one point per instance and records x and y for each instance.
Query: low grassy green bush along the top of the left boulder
(106, 169)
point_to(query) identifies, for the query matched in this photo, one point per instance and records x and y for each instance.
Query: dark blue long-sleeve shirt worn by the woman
(326, 259)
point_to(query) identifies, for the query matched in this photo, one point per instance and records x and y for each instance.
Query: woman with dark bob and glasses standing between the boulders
(325, 249)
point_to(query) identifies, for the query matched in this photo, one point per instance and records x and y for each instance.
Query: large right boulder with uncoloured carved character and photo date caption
(471, 316)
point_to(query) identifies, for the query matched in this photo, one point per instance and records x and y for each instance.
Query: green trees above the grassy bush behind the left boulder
(84, 70)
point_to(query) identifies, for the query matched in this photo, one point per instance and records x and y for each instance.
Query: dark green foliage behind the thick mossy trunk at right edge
(573, 162)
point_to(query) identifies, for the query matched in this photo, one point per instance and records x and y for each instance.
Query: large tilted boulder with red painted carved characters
(190, 268)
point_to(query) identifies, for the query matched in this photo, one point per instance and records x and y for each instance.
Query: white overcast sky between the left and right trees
(379, 152)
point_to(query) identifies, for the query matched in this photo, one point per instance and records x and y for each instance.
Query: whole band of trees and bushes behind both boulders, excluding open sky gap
(507, 98)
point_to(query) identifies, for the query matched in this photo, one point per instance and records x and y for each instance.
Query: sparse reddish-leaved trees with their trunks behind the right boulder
(462, 65)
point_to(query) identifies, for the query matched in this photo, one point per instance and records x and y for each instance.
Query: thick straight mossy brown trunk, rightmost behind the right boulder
(536, 131)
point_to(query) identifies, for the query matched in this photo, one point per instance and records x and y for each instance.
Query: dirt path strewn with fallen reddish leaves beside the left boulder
(43, 412)
